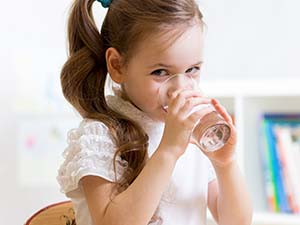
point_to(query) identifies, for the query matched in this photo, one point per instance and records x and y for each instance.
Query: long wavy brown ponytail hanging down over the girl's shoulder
(83, 83)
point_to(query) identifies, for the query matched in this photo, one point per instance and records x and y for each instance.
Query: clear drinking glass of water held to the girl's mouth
(211, 131)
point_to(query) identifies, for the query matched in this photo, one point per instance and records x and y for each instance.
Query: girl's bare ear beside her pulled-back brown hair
(114, 65)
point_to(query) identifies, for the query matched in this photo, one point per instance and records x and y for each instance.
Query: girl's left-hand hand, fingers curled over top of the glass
(179, 122)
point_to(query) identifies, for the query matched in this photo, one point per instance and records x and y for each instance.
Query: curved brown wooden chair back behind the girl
(61, 213)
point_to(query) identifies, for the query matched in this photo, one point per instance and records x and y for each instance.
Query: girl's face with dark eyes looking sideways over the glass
(154, 61)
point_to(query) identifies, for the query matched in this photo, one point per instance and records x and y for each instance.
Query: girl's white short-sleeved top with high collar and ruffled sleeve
(91, 150)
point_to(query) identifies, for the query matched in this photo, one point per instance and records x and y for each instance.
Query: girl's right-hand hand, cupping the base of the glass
(226, 154)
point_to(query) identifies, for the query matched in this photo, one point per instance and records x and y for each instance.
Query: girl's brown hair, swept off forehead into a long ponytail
(83, 76)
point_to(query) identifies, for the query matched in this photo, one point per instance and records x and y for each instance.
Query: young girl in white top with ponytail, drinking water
(130, 162)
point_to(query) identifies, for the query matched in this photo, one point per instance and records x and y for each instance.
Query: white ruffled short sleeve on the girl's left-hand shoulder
(90, 151)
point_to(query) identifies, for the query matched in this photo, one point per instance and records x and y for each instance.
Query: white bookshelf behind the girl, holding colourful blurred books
(247, 100)
